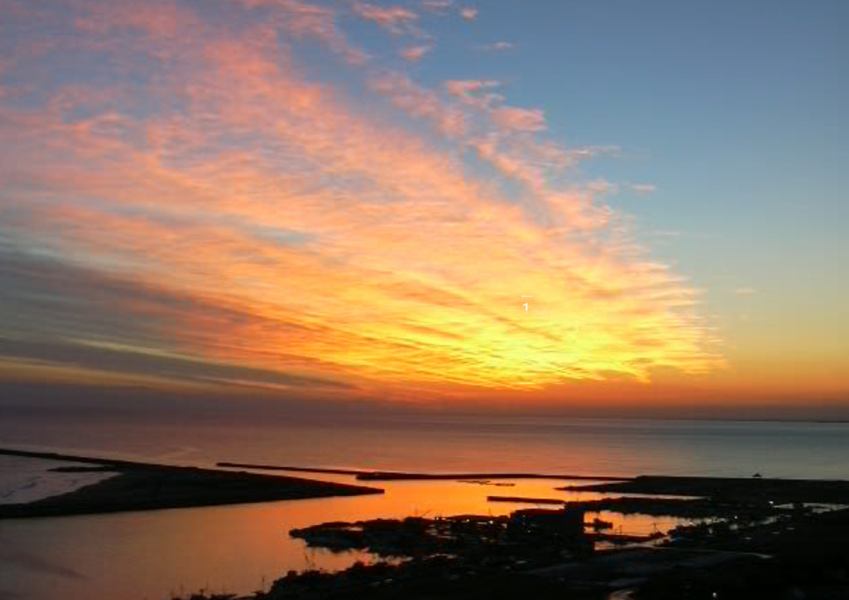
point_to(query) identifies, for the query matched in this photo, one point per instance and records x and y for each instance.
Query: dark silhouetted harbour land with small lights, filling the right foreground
(752, 539)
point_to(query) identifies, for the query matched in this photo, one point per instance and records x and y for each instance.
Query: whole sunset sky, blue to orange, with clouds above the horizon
(496, 203)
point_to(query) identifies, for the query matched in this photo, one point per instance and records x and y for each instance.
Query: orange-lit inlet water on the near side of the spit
(230, 548)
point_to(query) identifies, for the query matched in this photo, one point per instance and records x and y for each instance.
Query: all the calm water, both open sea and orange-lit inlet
(242, 548)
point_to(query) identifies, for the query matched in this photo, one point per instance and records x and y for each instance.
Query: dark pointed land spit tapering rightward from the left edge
(150, 486)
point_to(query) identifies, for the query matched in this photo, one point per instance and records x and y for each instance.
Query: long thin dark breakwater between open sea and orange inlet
(366, 475)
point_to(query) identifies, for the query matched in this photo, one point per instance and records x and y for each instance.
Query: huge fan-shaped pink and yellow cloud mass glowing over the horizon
(258, 226)
